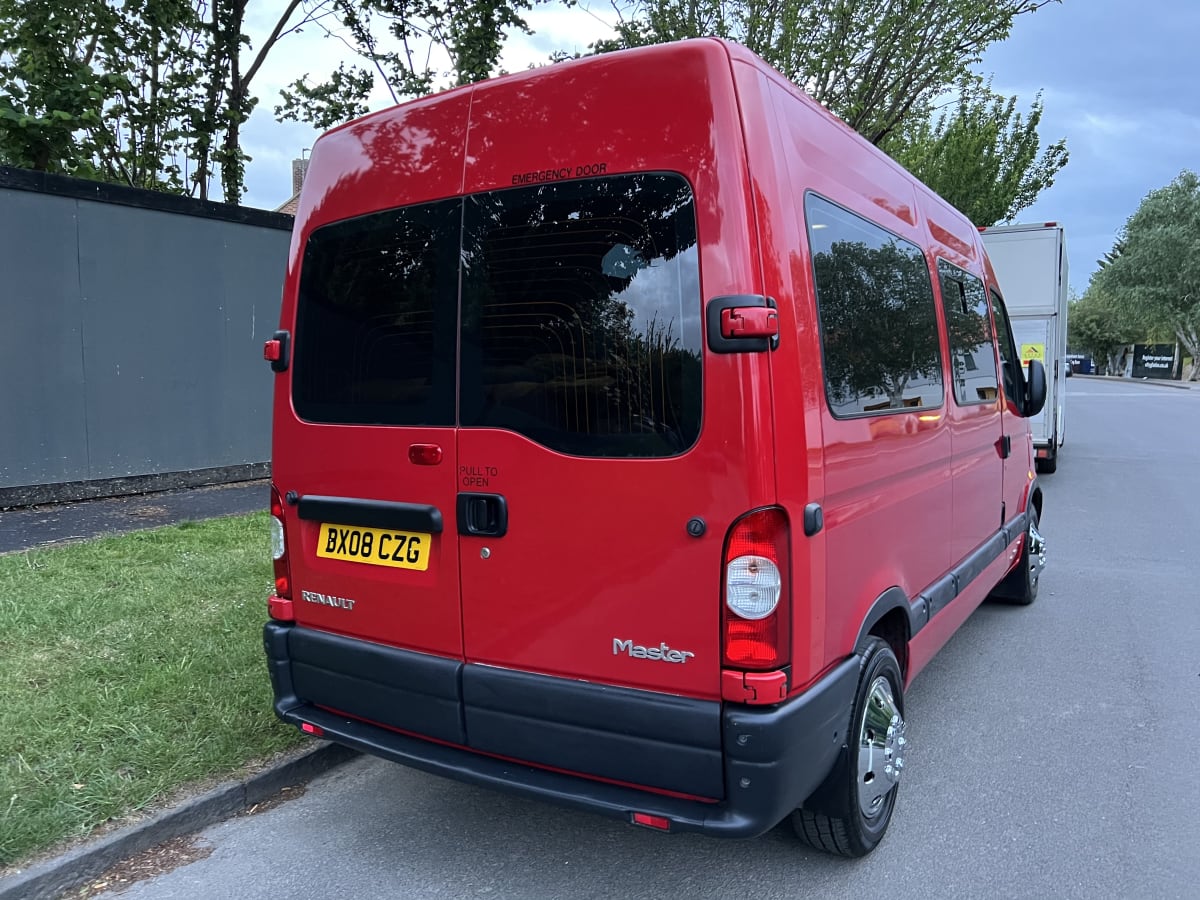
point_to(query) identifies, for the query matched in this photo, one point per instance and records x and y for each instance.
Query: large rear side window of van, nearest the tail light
(879, 327)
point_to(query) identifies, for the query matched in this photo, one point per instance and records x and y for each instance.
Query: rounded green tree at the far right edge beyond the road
(1154, 279)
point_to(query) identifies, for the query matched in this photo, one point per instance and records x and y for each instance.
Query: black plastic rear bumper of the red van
(761, 761)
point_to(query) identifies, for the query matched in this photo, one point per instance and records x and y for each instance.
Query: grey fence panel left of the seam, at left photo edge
(43, 431)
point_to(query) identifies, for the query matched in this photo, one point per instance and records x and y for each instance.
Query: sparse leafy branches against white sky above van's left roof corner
(470, 34)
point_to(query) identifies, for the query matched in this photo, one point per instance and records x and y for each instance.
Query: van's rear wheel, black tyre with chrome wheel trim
(850, 813)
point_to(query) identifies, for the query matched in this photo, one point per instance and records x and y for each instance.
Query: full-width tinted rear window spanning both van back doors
(579, 307)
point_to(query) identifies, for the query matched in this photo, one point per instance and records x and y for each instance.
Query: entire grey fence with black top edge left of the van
(131, 337)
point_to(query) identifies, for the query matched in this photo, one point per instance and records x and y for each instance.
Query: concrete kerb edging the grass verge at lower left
(55, 878)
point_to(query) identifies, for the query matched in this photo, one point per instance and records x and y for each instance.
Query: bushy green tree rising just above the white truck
(983, 158)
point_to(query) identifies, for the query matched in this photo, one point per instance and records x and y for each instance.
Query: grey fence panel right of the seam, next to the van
(173, 385)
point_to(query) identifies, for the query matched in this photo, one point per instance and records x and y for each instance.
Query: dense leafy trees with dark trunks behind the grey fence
(143, 93)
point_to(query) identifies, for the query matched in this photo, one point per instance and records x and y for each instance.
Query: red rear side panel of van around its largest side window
(880, 476)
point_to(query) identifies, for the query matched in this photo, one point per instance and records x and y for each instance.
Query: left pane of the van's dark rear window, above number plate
(375, 338)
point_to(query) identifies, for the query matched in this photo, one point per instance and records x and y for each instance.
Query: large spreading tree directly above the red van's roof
(874, 63)
